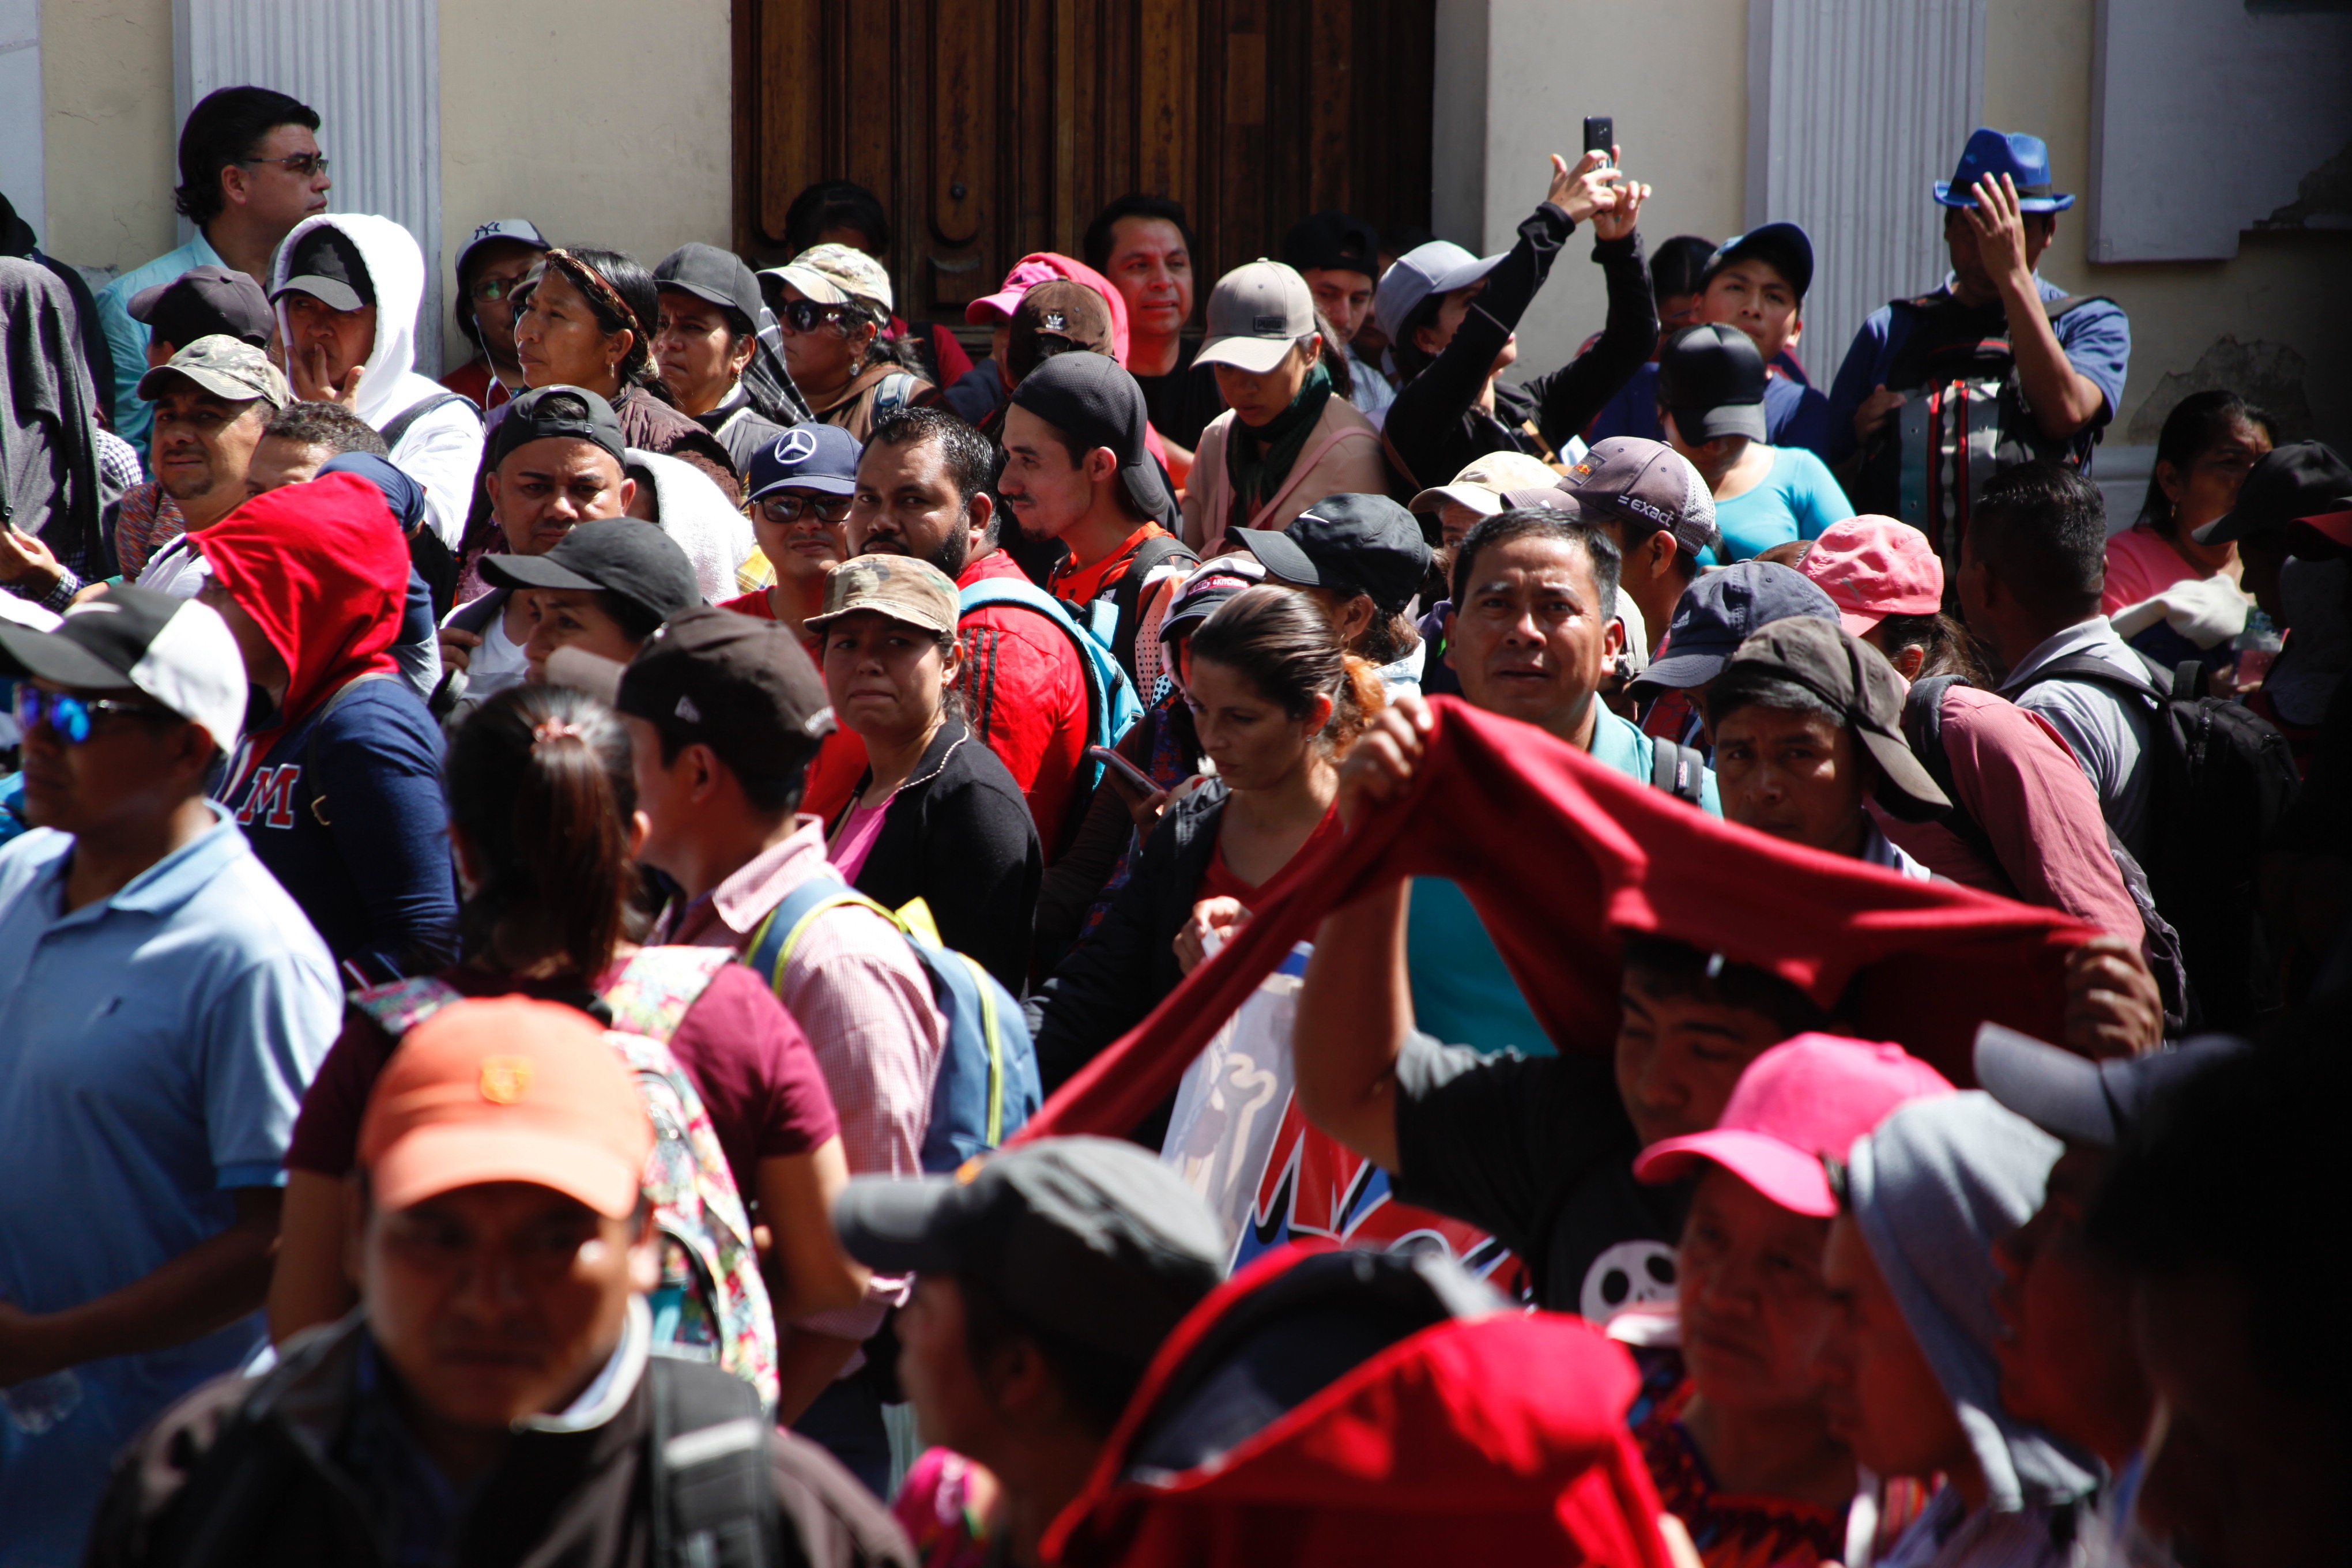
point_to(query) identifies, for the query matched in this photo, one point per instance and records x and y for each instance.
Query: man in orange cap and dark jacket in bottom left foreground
(493, 1398)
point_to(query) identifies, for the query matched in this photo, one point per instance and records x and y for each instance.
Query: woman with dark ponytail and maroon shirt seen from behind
(544, 824)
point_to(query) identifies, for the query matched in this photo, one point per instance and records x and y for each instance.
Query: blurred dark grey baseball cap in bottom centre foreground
(1085, 1238)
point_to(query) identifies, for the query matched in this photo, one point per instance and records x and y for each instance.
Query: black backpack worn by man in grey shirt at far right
(2224, 777)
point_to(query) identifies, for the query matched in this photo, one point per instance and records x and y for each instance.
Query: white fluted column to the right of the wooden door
(1855, 107)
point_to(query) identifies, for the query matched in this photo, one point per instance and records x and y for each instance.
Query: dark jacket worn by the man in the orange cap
(258, 1473)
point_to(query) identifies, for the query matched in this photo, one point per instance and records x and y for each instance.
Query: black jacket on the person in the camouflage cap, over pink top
(961, 838)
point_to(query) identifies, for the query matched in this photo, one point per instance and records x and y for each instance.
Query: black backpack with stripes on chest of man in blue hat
(1963, 422)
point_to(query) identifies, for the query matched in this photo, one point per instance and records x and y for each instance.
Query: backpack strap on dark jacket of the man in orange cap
(711, 1487)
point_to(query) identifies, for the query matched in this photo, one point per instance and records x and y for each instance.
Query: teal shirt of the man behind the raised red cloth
(1462, 991)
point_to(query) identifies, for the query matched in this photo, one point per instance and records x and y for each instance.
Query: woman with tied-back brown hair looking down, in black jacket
(1276, 699)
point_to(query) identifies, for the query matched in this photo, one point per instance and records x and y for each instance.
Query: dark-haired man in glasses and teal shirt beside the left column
(248, 173)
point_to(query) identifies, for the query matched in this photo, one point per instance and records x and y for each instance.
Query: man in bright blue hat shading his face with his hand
(2069, 359)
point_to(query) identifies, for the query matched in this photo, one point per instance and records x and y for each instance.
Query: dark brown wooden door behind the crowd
(998, 128)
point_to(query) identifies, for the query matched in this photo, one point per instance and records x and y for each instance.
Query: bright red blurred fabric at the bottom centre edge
(1492, 1440)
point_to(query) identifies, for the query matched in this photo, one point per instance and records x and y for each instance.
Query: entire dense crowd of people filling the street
(580, 937)
